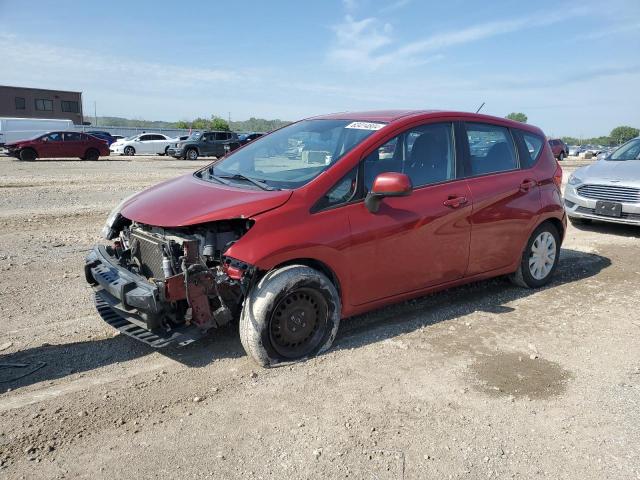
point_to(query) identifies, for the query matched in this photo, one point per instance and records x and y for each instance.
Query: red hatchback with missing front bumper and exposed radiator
(327, 218)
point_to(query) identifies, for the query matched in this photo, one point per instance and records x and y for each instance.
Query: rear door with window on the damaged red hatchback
(505, 195)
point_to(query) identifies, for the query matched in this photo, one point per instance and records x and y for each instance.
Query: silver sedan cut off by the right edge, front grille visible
(607, 190)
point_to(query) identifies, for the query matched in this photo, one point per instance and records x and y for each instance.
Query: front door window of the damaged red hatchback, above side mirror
(425, 153)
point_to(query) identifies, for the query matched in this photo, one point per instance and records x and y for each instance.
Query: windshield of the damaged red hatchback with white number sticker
(293, 155)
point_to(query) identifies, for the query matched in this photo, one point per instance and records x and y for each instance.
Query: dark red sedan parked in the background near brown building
(59, 145)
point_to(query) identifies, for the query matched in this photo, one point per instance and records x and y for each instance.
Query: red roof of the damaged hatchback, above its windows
(389, 116)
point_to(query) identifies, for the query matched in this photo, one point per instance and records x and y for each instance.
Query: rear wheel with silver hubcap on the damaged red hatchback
(535, 274)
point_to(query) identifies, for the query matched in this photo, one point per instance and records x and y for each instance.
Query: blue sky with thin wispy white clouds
(572, 66)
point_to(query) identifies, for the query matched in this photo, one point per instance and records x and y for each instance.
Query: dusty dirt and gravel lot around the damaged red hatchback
(483, 381)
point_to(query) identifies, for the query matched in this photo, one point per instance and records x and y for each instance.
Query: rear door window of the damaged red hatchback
(491, 149)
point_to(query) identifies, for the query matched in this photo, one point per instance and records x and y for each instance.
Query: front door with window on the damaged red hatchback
(416, 241)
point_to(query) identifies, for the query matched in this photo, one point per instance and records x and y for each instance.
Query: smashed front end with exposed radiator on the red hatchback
(168, 285)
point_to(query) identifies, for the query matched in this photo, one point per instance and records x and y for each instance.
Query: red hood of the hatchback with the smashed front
(187, 200)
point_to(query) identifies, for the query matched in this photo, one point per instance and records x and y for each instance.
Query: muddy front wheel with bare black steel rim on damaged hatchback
(288, 304)
